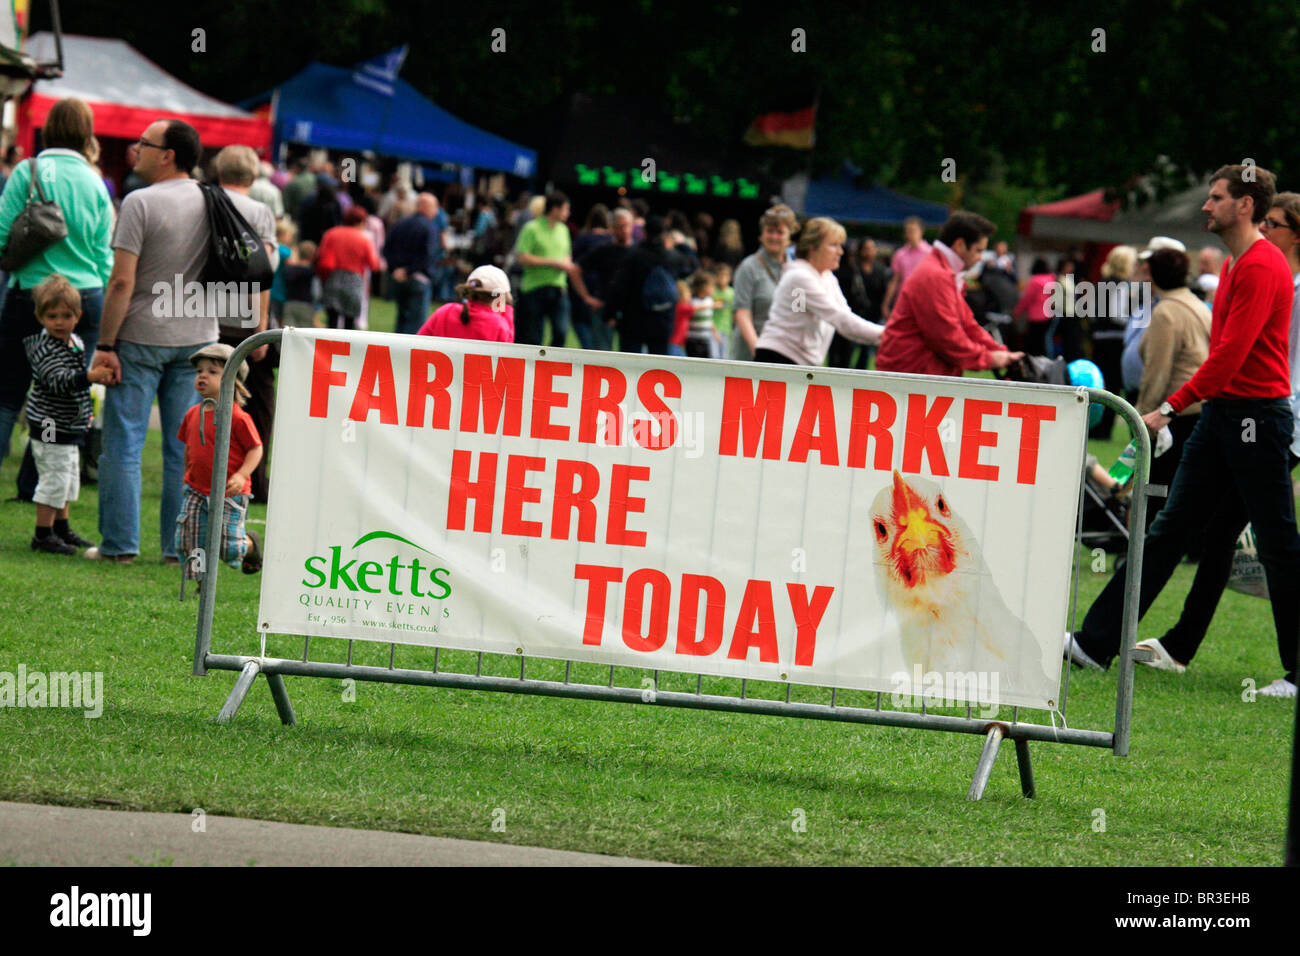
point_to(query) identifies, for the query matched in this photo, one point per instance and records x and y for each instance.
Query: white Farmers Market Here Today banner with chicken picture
(900, 534)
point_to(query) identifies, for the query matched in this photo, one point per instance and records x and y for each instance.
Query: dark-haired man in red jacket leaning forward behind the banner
(931, 330)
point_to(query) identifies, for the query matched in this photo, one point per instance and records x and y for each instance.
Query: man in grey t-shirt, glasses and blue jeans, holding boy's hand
(155, 318)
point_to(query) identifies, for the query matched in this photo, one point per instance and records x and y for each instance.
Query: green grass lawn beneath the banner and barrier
(1206, 782)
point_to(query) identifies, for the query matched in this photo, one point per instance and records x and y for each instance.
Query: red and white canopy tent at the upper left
(128, 93)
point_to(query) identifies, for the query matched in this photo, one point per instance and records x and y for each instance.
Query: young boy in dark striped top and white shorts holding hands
(59, 413)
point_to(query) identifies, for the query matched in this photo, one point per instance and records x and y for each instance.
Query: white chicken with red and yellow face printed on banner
(933, 576)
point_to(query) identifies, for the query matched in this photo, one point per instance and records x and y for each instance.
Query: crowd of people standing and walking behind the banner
(88, 312)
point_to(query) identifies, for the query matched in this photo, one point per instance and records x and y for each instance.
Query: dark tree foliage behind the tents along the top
(1020, 96)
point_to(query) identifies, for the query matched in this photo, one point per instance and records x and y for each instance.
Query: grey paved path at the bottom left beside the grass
(34, 834)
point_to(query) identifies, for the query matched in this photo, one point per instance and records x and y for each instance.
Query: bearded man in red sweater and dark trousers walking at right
(1240, 447)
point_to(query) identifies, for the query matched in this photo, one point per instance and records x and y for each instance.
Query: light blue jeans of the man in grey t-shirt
(148, 371)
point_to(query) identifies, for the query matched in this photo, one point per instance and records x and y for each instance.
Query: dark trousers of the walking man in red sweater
(1234, 460)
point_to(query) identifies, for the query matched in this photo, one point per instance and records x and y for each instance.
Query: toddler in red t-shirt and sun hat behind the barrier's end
(240, 548)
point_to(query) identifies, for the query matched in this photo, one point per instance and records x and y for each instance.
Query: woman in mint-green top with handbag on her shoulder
(85, 257)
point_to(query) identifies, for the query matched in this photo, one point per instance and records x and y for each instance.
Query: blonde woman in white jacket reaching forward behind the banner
(808, 306)
